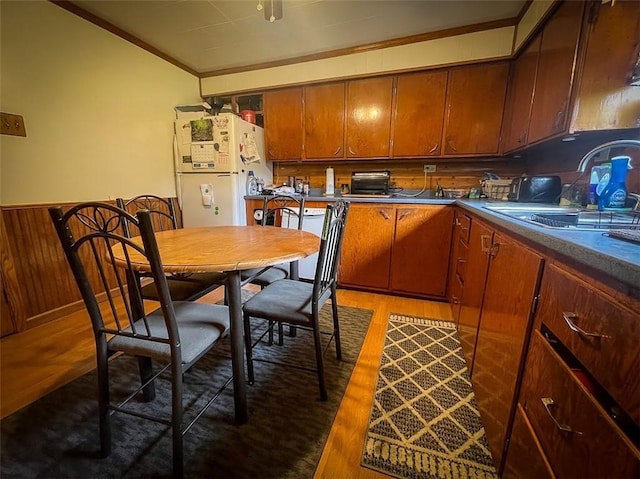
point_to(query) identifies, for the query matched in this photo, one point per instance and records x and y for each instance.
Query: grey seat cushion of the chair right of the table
(285, 300)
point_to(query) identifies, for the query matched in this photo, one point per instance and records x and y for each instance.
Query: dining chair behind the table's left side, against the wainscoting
(183, 286)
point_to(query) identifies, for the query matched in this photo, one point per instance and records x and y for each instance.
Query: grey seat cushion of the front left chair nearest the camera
(200, 326)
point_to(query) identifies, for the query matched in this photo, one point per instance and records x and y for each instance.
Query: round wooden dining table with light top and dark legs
(230, 249)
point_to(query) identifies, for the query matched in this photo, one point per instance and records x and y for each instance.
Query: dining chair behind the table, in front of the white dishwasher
(278, 210)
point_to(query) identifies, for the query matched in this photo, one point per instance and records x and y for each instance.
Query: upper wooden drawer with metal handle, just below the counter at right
(613, 359)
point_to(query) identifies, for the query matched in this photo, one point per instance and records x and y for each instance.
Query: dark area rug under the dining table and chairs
(57, 436)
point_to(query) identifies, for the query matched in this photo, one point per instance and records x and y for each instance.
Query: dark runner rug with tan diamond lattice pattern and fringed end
(424, 421)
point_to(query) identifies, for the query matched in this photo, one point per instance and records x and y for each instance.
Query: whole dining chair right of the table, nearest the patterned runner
(298, 303)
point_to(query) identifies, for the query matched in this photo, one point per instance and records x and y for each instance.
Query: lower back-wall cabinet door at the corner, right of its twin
(420, 257)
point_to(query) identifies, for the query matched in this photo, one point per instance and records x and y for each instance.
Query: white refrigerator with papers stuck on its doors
(213, 157)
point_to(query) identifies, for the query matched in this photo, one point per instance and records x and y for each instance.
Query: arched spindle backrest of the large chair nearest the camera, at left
(91, 235)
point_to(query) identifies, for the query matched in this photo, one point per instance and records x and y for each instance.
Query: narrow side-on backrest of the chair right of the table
(335, 219)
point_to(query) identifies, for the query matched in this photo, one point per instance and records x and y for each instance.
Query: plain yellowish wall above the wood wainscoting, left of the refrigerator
(98, 110)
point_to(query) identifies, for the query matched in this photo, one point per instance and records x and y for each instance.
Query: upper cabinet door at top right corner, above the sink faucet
(607, 101)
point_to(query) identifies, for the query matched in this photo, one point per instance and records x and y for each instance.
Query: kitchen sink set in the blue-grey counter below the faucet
(561, 217)
